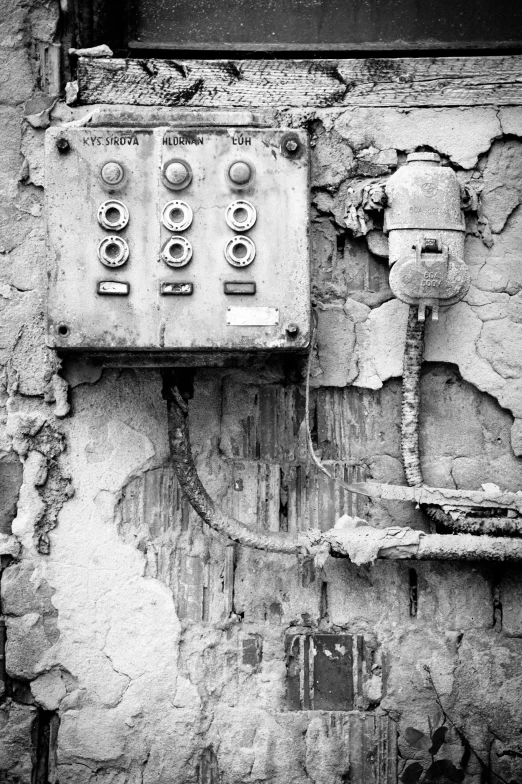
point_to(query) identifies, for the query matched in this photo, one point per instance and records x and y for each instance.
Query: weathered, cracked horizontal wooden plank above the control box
(424, 81)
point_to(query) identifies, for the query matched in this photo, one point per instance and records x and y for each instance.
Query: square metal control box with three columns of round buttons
(192, 240)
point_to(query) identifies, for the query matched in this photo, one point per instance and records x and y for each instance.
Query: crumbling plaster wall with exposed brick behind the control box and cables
(142, 649)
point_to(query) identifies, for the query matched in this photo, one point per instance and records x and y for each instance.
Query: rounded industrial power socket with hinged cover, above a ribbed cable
(426, 233)
